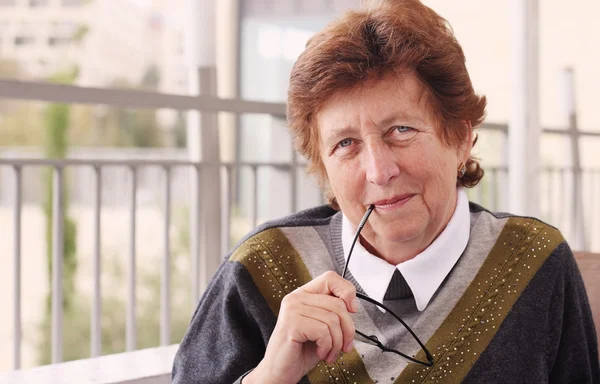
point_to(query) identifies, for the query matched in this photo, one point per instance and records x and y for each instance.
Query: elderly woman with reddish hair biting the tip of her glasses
(400, 279)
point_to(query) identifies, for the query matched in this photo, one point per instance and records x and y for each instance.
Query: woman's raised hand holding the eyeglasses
(314, 324)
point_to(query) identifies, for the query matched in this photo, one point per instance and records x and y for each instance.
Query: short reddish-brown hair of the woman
(367, 44)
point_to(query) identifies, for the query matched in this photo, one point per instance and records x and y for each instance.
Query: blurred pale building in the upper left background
(110, 42)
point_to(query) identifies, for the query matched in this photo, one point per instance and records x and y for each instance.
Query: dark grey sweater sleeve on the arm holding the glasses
(229, 331)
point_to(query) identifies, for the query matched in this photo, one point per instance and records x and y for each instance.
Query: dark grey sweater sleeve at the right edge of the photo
(576, 355)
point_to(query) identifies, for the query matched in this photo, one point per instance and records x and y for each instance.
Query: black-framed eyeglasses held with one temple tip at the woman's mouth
(372, 338)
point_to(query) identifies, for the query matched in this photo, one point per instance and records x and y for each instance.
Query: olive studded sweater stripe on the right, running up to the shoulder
(521, 249)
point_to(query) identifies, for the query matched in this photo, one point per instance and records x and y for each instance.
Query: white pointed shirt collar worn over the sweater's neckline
(425, 272)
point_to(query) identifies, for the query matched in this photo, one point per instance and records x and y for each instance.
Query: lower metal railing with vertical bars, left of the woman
(59, 168)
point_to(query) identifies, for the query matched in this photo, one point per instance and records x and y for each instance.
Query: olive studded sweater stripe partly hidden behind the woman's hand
(277, 269)
